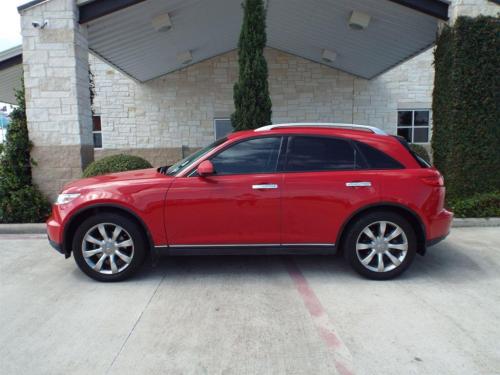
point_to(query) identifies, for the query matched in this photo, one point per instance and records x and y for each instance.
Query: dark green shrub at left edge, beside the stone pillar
(20, 200)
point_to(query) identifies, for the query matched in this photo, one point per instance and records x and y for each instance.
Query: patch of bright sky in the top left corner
(10, 30)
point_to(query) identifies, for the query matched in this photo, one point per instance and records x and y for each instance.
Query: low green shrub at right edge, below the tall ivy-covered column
(479, 205)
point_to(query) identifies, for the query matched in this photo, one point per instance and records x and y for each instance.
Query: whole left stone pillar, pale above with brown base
(55, 62)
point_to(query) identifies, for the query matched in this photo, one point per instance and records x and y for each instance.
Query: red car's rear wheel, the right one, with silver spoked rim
(380, 245)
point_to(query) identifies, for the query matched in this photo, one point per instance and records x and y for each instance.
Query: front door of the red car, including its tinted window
(238, 205)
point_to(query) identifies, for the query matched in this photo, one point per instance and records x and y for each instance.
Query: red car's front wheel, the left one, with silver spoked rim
(109, 247)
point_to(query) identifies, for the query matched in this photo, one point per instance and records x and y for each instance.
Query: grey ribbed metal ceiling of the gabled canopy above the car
(396, 32)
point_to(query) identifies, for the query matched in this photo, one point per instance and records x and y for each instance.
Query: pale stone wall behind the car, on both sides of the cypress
(157, 118)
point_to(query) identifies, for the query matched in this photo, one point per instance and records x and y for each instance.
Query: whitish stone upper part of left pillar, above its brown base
(55, 63)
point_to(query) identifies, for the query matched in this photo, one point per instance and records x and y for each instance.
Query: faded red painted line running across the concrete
(320, 318)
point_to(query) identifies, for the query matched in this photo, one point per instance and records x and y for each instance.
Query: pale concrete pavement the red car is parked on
(253, 315)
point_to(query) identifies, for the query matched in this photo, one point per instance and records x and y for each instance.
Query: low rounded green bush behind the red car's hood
(115, 163)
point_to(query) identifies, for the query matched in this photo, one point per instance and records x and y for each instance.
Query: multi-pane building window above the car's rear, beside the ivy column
(414, 125)
